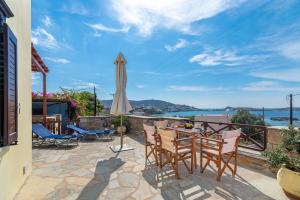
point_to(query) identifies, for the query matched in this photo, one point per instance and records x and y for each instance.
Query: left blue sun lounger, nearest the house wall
(47, 137)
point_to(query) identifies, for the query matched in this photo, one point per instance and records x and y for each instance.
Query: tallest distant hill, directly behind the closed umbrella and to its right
(156, 106)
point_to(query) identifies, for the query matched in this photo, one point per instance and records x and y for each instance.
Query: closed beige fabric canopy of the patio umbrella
(120, 105)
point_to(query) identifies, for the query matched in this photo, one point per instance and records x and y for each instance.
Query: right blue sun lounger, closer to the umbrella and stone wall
(99, 134)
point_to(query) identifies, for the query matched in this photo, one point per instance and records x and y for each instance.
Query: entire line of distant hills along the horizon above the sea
(152, 106)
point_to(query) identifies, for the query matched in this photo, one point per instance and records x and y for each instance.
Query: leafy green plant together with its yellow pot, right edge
(286, 158)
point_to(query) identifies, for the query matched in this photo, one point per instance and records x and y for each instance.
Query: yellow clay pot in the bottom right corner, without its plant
(289, 181)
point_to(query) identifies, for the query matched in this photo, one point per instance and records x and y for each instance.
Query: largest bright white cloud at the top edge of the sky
(169, 14)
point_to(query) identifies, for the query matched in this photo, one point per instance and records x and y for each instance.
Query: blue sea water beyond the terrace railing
(268, 115)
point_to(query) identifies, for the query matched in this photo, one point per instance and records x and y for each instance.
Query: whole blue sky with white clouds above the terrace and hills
(209, 54)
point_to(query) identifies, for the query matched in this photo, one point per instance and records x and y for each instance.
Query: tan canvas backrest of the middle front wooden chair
(167, 137)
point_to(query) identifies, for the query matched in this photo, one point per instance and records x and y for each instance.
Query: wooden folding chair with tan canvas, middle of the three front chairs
(175, 150)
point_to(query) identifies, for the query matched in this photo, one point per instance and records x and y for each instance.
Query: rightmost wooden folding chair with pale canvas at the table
(220, 150)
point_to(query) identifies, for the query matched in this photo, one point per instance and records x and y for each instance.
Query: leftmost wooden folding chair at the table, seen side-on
(150, 142)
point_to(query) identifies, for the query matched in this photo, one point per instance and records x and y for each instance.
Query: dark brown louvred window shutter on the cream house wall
(8, 81)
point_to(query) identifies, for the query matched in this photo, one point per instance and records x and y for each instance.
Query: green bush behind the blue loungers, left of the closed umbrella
(84, 102)
